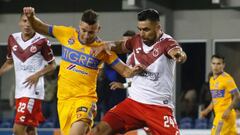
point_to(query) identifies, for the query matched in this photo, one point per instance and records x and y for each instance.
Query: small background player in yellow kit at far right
(224, 98)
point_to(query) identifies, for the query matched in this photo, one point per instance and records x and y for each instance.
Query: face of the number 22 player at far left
(25, 26)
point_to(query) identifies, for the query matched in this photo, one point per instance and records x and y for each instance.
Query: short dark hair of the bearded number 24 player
(148, 14)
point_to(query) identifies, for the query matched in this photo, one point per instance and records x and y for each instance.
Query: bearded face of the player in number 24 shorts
(149, 31)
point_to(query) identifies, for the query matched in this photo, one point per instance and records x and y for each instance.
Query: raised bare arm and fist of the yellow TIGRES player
(35, 22)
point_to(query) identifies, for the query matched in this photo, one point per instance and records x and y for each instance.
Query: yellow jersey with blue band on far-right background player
(221, 89)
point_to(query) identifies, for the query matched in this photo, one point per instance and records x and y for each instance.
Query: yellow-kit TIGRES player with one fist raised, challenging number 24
(78, 69)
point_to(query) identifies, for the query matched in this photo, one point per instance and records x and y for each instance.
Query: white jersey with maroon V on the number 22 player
(29, 57)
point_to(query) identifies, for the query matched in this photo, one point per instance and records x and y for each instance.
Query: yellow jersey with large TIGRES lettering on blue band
(78, 69)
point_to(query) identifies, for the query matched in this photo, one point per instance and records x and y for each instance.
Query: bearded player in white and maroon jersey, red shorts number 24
(150, 96)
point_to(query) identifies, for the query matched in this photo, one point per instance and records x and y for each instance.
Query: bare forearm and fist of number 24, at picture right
(178, 54)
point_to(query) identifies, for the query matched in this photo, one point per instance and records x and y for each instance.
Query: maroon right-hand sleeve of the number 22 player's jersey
(47, 52)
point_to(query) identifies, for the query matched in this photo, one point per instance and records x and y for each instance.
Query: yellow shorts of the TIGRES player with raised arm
(72, 110)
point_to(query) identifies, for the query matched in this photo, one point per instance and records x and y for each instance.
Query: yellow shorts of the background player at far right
(224, 127)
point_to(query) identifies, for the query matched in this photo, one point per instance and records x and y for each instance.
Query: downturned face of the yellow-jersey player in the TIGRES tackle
(88, 32)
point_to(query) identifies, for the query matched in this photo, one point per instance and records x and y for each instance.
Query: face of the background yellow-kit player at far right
(217, 65)
